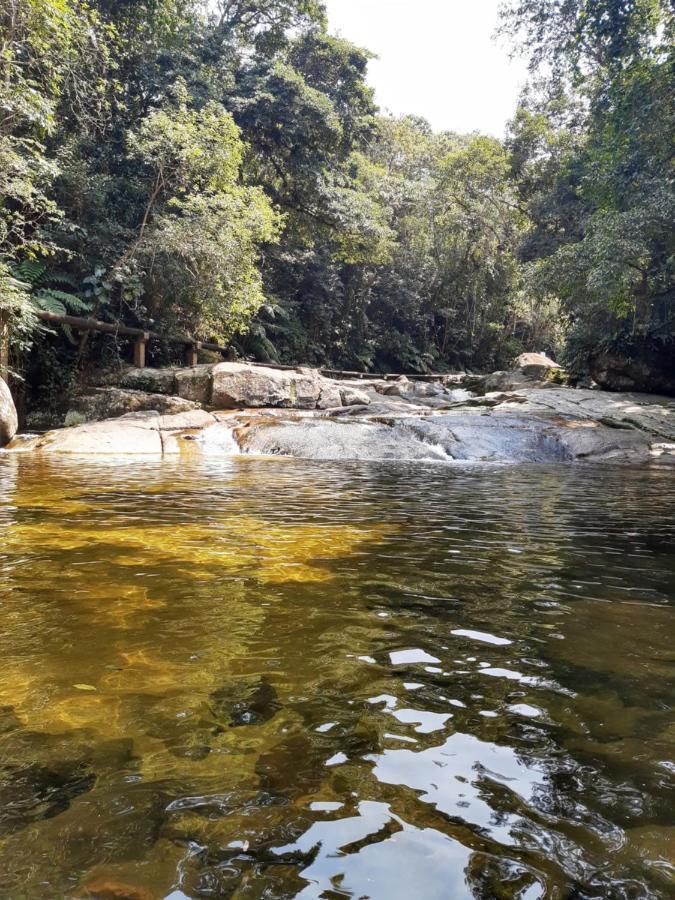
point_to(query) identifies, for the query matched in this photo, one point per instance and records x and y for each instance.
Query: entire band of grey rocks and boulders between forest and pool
(238, 408)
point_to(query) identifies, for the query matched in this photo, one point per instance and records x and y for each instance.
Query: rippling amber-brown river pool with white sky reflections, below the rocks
(272, 678)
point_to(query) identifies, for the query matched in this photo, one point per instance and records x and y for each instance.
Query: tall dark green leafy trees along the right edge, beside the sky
(595, 170)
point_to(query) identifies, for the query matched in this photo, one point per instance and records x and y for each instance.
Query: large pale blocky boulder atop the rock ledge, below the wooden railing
(240, 386)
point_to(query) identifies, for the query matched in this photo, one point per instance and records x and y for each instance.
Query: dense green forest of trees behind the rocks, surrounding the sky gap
(221, 169)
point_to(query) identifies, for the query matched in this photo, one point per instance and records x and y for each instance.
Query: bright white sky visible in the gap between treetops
(437, 59)
